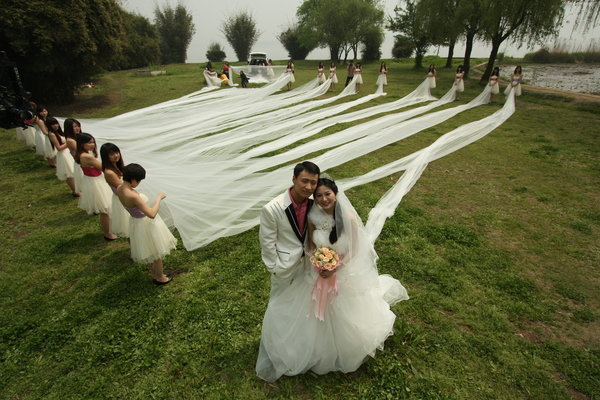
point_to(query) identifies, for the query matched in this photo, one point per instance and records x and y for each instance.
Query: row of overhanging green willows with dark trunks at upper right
(425, 23)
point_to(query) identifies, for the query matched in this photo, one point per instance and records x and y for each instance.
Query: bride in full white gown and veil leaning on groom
(336, 330)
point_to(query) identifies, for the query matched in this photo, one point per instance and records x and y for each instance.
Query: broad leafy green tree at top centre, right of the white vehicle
(340, 25)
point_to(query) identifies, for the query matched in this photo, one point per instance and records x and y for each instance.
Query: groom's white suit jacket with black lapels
(281, 240)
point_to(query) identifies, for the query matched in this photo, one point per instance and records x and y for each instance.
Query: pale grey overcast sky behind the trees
(273, 16)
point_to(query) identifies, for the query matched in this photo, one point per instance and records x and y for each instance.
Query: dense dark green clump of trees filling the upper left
(59, 44)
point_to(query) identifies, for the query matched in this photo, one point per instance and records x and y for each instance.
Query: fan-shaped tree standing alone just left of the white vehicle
(241, 33)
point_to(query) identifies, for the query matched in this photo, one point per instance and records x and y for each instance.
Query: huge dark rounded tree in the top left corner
(64, 42)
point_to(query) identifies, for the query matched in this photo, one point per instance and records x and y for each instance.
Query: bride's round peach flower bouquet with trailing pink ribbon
(324, 259)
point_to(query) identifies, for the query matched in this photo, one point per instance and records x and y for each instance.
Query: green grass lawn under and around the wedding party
(497, 245)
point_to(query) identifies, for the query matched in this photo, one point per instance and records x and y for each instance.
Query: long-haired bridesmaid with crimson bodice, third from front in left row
(95, 193)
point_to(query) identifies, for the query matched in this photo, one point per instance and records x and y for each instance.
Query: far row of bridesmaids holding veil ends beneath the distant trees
(355, 69)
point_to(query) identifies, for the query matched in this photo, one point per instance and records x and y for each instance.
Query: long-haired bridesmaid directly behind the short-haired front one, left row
(112, 166)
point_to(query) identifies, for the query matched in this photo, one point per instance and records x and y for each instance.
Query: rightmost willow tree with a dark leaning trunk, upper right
(525, 21)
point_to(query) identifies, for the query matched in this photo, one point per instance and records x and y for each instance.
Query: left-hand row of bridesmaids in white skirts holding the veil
(104, 187)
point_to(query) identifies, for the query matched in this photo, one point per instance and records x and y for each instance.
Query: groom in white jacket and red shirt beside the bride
(283, 227)
